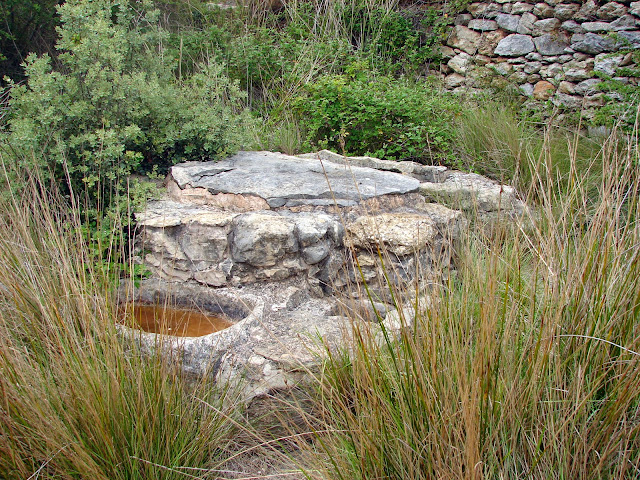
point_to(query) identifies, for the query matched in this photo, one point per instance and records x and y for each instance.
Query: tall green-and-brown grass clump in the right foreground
(525, 365)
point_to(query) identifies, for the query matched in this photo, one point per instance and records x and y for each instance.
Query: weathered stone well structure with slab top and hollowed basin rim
(294, 240)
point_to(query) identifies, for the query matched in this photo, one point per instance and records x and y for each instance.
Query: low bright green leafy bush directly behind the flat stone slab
(379, 116)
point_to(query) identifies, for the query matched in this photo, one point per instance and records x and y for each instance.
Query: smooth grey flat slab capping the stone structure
(286, 181)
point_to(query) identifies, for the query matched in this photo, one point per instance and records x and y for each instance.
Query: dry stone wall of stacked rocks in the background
(553, 50)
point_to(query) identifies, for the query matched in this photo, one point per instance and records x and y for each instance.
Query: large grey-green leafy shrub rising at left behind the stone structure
(113, 106)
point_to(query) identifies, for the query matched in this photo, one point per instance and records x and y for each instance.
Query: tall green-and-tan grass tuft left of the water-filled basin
(77, 401)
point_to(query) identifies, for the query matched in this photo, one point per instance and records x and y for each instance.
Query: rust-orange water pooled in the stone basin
(175, 321)
